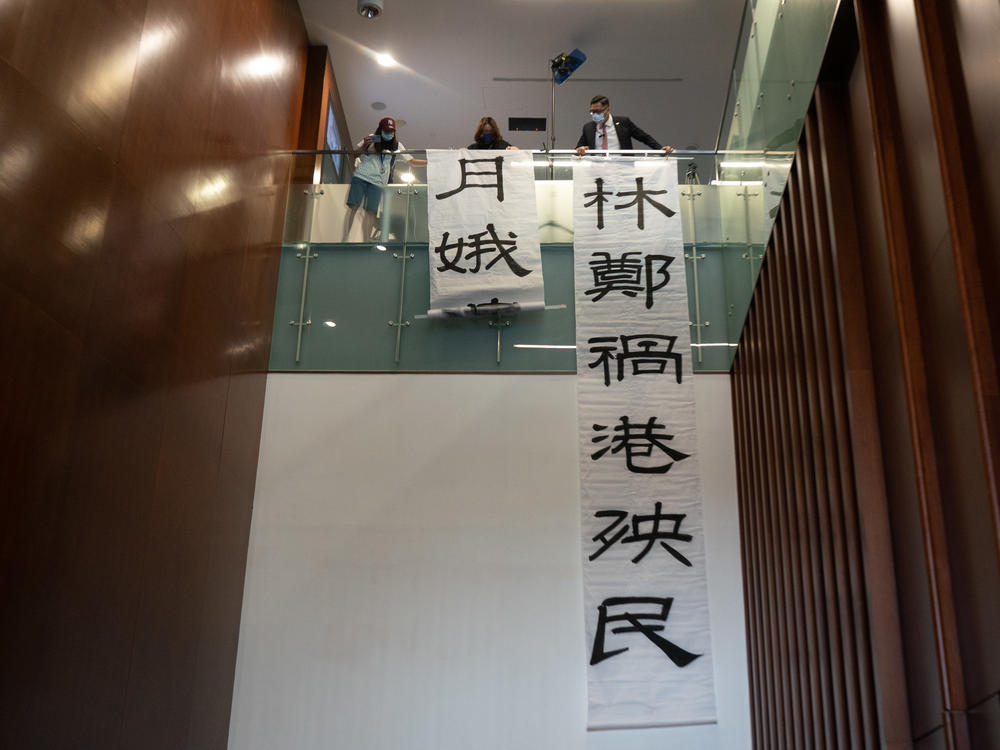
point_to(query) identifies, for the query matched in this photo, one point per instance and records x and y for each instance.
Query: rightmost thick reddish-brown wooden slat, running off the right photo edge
(967, 221)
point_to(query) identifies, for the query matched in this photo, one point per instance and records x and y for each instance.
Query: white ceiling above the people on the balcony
(450, 53)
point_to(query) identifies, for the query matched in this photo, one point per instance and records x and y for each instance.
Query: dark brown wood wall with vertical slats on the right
(865, 393)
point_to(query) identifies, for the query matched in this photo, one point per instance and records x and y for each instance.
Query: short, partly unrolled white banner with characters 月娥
(482, 223)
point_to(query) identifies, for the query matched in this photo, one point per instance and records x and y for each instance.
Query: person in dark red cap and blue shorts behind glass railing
(372, 172)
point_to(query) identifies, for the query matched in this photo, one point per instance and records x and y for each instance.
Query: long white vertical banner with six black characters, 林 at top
(645, 594)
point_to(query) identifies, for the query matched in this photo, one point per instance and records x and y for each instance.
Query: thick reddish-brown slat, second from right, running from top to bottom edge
(885, 119)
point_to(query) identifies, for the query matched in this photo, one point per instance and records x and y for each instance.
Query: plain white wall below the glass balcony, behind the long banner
(414, 577)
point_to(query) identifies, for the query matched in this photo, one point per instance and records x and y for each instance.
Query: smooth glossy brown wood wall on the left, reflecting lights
(140, 218)
